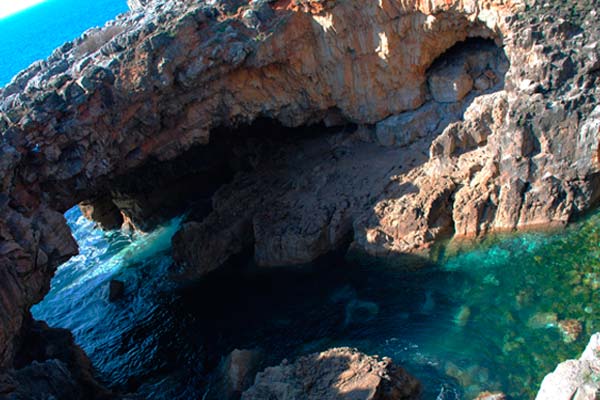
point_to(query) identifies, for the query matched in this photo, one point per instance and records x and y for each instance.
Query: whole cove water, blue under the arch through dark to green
(483, 319)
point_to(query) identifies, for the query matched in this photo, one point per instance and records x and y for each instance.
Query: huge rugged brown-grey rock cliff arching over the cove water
(444, 145)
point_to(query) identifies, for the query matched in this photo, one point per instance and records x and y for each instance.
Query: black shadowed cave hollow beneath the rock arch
(159, 190)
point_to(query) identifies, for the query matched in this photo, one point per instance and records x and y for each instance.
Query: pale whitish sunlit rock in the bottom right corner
(575, 379)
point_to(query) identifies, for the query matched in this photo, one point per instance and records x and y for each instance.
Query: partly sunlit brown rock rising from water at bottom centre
(340, 373)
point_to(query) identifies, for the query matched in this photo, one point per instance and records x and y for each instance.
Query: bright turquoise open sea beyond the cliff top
(34, 33)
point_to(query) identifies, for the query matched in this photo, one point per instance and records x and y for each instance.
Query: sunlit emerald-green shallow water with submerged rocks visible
(513, 294)
